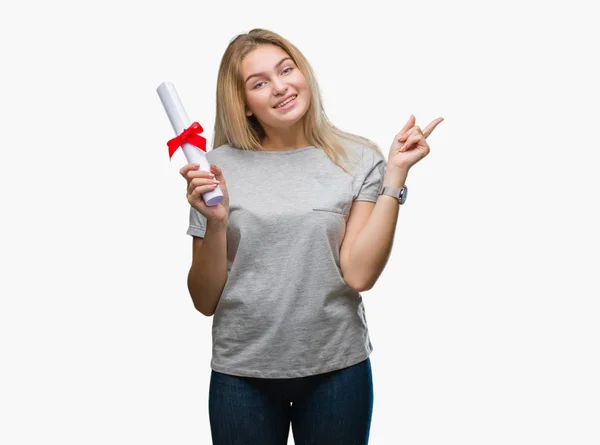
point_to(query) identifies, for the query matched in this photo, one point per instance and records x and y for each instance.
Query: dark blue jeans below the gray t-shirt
(334, 408)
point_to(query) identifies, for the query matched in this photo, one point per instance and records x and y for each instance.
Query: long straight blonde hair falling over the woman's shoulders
(234, 128)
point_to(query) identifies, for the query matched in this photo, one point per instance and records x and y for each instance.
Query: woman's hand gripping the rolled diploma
(200, 182)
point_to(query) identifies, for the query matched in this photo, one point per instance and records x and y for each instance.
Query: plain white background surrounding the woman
(485, 320)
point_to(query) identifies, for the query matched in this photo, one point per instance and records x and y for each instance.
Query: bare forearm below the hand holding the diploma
(208, 272)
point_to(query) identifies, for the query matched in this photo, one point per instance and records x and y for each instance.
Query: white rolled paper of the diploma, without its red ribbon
(180, 121)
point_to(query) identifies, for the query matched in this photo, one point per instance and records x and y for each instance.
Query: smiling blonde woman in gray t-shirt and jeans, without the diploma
(281, 261)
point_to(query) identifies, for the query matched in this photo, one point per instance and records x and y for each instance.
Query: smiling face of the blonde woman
(277, 78)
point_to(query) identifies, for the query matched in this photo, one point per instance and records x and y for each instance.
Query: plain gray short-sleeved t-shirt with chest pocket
(285, 310)
